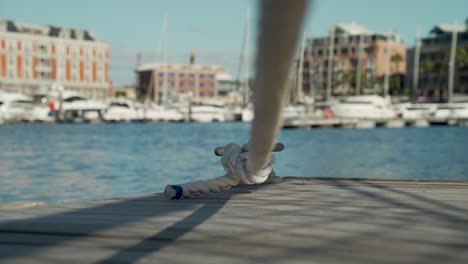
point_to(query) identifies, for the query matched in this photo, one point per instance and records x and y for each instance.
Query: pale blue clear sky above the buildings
(215, 28)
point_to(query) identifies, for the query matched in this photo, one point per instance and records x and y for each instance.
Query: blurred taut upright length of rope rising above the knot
(280, 27)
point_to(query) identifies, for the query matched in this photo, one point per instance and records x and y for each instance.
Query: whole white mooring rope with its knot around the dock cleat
(280, 27)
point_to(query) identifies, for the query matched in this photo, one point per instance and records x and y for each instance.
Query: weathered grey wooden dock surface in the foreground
(300, 220)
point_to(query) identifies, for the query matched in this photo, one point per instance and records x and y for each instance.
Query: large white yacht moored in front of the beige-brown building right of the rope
(364, 107)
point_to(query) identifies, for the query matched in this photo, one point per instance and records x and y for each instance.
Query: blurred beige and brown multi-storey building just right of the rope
(349, 43)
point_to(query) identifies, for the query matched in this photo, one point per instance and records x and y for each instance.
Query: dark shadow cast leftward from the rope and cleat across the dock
(68, 231)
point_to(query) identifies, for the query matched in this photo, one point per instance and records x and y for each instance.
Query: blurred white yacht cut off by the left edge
(14, 107)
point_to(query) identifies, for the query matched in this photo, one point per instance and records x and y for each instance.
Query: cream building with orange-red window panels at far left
(34, 57)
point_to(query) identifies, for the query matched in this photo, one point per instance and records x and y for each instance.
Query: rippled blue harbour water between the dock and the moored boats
(52, 163)
